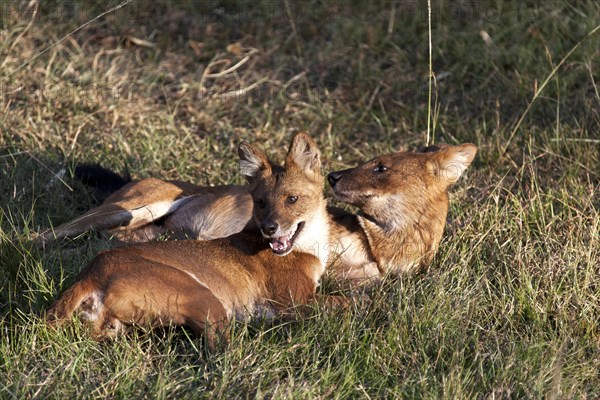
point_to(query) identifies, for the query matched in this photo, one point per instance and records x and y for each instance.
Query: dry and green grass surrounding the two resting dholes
(510, 306)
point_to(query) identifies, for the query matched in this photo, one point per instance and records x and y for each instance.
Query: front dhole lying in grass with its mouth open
(203, 284)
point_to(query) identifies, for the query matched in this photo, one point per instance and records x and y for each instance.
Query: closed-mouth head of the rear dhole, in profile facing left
(402, 182)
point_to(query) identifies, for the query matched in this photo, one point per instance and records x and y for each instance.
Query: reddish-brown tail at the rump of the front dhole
(78, 295)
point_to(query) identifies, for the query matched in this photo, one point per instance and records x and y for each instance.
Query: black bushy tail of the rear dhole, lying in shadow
(104, 181)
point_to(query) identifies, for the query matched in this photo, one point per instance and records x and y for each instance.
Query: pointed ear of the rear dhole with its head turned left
(449, 162)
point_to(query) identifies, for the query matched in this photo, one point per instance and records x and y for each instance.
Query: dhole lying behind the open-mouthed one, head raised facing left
(402, 197)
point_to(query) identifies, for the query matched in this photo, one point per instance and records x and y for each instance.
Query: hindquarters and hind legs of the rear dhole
(184, 210)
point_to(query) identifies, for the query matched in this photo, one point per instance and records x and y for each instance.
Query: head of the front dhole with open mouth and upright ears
(287, 201)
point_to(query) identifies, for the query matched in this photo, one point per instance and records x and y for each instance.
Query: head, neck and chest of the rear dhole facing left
(403, 199)
